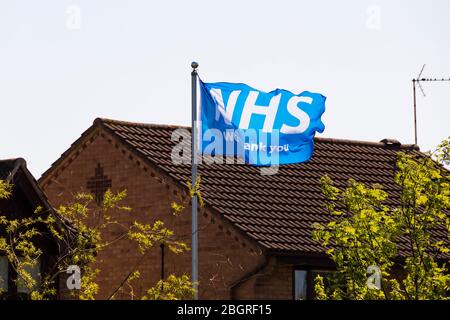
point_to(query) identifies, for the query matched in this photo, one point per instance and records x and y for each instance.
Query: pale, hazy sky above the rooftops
(65, 63)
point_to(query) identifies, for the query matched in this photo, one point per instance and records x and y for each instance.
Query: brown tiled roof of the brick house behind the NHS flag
(277, 211)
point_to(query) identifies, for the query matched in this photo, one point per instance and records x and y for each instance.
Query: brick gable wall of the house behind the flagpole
(224, 255)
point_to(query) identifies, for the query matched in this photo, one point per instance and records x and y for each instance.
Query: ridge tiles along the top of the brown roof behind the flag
(319, 139)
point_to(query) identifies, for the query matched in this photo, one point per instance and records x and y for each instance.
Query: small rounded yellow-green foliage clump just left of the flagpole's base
(173, 288)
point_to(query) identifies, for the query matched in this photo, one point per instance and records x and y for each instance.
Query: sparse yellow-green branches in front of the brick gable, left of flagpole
(80, 241)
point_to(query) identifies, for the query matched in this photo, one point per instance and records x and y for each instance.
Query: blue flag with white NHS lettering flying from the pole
(264, 129)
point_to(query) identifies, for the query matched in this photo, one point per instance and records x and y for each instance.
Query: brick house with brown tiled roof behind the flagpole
(255, 230)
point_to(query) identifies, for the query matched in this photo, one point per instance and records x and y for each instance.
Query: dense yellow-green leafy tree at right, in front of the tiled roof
(408, 243)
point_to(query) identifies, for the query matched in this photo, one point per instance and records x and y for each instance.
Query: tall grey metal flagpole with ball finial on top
(194, 66)
